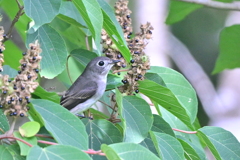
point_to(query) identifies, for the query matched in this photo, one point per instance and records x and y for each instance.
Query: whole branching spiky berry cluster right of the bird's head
(136, 44)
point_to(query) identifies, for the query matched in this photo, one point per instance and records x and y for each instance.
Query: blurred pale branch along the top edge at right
(215, 4)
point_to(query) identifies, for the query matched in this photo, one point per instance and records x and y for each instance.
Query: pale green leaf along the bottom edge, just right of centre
(132, 151)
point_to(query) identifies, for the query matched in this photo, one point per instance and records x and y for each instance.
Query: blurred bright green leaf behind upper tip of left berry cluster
(12, 55)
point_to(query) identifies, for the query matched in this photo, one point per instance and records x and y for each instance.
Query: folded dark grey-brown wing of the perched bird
(78, 94)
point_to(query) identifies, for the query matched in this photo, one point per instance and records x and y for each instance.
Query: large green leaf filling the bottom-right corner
(222, 143)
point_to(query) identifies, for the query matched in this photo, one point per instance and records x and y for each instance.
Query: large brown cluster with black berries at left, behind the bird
(16, 94)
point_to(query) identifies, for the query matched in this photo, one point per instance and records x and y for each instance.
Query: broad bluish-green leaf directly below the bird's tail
(65, 127)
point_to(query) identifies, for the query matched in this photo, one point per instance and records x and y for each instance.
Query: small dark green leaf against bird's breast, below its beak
(113, 81)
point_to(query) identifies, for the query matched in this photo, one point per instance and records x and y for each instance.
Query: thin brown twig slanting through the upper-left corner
(19, 13)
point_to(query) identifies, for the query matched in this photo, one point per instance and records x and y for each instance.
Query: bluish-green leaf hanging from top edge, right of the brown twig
(41, 12)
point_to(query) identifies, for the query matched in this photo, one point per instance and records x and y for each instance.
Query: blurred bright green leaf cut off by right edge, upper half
(229, 49)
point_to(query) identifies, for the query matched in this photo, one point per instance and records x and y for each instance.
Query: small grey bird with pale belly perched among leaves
(89, 87)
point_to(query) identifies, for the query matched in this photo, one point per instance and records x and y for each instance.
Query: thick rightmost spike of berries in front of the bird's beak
(139, 63)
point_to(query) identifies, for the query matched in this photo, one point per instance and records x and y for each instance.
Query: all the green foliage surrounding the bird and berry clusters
(64, 27)
